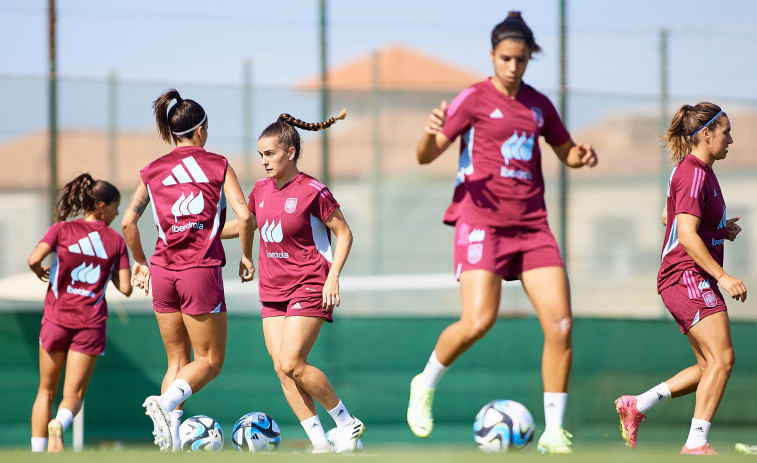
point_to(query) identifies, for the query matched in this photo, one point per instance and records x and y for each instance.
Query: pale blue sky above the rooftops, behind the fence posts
(612, 45)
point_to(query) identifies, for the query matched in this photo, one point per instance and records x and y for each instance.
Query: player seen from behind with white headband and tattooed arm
(188, 188)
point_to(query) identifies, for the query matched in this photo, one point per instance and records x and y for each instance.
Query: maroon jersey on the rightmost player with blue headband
(693, 189)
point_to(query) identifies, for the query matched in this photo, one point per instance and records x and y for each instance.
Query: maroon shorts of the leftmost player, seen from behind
(56, 338)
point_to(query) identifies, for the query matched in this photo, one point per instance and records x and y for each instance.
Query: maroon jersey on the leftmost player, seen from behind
(85, 255)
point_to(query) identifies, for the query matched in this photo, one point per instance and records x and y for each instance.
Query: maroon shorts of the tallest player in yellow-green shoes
(504, 251)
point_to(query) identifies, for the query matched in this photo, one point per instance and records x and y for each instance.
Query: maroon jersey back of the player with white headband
(188, 204)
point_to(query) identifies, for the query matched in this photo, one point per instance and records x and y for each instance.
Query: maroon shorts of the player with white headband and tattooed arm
(192, 291)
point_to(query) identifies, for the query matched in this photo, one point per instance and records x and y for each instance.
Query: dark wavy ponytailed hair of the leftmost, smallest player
(81, 195)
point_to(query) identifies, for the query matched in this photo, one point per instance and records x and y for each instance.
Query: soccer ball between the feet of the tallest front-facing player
(503, 425)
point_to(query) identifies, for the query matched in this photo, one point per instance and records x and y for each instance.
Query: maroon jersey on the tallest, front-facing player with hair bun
(499, 180)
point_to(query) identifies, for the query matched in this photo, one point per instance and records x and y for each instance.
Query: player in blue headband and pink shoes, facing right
(691, 269)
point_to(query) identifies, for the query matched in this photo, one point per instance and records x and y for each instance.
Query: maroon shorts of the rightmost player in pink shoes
(692, 298)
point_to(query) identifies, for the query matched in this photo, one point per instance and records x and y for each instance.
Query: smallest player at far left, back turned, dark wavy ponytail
(88, 254)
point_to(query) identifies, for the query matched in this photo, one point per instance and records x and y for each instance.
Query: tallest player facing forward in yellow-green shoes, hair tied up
(500, 220)
